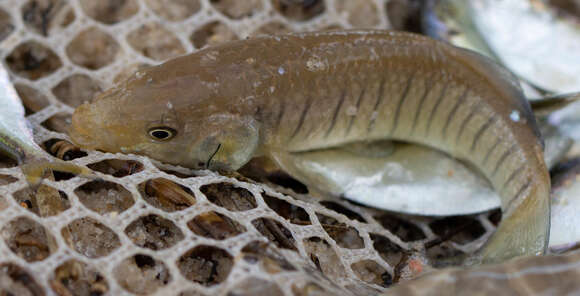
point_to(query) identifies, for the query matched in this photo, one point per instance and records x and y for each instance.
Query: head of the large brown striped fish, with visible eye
(181, 121)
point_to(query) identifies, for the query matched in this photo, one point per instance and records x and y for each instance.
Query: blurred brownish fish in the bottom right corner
(543, 275)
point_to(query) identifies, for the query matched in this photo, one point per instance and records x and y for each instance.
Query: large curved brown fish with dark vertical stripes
(272, 96)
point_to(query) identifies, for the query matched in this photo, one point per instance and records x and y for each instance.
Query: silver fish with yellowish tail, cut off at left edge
(17, 141)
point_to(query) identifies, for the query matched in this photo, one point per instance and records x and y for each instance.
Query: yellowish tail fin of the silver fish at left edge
(36, 171)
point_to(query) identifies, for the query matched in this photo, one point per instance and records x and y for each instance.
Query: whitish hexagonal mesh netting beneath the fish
(151, 228)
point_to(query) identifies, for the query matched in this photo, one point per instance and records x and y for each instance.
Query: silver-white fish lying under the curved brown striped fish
(412, 179)
